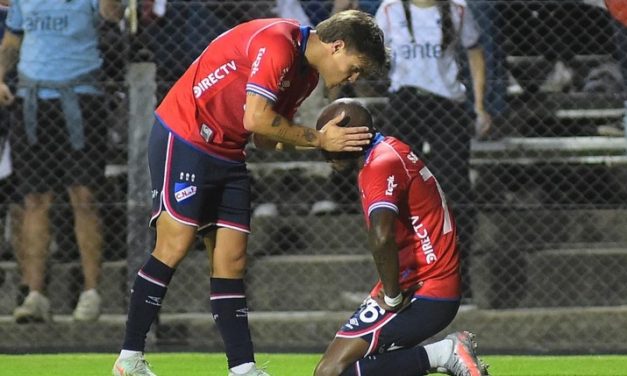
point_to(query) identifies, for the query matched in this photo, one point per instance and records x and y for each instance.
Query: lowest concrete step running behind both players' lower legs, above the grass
(522, 331)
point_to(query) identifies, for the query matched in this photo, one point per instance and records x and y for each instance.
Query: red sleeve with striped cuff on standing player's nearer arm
(272, 54)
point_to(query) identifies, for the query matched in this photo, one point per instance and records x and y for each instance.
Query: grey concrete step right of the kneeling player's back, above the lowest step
(589, 276)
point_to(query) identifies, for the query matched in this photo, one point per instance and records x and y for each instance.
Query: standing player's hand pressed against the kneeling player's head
(335, 138)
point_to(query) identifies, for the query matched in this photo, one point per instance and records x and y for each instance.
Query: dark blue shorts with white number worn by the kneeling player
(387, 331)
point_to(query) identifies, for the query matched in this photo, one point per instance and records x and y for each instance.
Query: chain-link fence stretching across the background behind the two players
(538, 185)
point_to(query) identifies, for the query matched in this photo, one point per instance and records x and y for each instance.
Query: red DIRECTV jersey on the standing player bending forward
(205, 106)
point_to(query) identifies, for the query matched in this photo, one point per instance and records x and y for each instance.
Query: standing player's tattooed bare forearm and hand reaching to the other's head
(260, 118)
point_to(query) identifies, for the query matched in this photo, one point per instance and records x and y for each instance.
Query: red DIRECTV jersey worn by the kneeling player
(394, 178)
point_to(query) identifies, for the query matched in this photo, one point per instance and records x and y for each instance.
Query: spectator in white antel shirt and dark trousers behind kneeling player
(427, 100)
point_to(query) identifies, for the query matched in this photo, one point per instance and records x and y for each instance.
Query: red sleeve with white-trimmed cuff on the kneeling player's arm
(384, 184)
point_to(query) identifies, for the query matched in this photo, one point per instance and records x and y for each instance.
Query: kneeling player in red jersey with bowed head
(412, 236)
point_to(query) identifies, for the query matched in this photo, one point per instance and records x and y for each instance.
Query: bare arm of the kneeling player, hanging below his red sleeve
(382, 241)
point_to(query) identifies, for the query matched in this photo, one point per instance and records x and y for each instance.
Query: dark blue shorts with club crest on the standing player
(194, 187)
